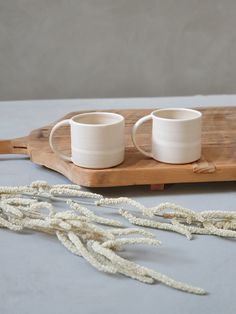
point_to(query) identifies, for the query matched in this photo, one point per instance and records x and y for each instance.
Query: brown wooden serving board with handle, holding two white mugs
(218, 162)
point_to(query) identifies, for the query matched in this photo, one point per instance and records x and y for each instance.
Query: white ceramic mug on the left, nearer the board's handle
(97, 139)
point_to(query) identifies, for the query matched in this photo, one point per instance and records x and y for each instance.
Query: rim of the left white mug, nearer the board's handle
(119, 117)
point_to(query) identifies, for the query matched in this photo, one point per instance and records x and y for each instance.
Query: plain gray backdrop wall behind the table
(116, 48)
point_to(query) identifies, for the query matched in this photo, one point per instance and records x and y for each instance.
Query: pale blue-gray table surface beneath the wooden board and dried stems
(38, 275)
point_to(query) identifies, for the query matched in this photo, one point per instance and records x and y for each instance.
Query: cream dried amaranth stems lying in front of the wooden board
(97, 238)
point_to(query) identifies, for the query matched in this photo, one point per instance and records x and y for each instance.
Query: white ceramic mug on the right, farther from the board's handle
(176, 135)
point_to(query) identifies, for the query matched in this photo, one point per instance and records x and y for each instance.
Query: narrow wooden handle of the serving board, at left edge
(14, 146)
